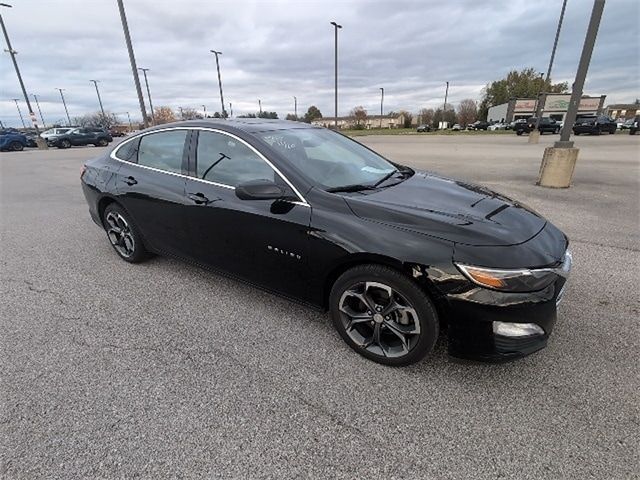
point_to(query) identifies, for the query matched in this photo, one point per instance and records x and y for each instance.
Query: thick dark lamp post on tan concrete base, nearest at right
(559, 161)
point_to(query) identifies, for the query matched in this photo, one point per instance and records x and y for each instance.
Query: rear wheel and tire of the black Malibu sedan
(123, 234)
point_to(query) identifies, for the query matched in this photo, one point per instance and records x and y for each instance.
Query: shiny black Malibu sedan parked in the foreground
(394, 254)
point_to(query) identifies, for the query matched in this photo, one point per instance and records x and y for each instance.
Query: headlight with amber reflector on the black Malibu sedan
(521, 280)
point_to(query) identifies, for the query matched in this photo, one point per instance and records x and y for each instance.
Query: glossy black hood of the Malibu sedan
(449, 209)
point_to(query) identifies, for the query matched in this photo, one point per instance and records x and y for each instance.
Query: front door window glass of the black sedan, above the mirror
(223, 159)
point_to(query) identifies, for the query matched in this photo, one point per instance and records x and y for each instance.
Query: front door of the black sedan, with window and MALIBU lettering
(263, 241)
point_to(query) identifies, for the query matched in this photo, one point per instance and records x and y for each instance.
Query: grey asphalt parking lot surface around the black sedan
(164, 370)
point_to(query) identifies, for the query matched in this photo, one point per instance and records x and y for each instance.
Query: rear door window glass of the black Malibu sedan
(163, 150)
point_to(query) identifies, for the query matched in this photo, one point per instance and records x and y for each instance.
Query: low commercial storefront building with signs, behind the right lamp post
(555, 105)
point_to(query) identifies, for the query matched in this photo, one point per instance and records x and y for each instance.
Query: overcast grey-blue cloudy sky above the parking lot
(273, 50)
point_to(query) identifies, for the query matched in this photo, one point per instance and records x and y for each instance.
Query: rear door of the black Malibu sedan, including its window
(151, 186)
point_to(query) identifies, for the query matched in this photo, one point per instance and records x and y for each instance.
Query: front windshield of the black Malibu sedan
(328, 159)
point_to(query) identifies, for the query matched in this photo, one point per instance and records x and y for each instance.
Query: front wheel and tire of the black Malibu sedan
(413, 307)
